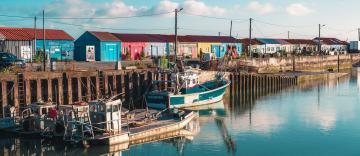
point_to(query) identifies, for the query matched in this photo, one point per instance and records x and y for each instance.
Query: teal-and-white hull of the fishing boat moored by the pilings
(165, 100)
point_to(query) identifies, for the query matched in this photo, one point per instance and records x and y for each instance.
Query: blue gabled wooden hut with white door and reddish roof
(97, 46)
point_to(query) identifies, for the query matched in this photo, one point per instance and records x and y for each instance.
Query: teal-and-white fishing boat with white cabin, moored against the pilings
(186, 91)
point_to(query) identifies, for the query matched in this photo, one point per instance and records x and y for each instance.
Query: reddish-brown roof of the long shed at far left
(28, 34)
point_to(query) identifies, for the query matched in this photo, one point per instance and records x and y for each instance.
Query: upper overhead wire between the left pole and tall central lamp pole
(119, 17)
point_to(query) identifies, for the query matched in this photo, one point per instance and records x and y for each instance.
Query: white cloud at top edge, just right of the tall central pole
(200, 8)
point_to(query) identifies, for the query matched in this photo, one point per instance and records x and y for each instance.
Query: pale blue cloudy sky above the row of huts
(272, 18)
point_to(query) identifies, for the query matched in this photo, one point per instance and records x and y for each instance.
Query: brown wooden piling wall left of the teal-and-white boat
(66, 88)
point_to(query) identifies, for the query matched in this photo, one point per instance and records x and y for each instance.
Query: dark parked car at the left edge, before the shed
(8, 60)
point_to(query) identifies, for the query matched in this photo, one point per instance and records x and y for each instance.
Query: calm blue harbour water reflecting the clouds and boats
(314, 119)
